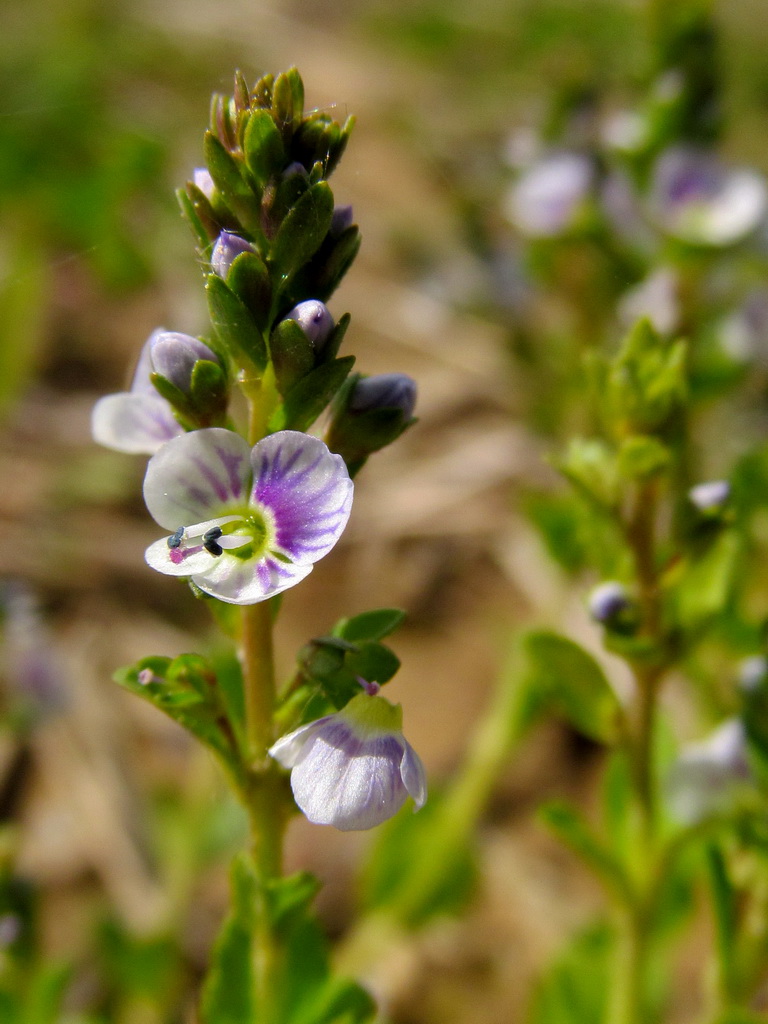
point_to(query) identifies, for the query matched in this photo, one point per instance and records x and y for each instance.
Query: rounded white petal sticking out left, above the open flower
(134, 422)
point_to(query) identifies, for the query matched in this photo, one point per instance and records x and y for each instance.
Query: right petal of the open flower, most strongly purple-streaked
(307, 491)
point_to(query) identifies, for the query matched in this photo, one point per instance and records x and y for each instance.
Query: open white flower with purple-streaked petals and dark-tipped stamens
(246, 524)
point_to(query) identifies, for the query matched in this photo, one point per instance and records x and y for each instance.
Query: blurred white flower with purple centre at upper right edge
(698, 200)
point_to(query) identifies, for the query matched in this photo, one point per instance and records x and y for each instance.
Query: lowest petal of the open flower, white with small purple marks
(238, 581)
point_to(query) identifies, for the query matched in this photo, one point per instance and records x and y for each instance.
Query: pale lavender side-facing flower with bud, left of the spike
(141, 421)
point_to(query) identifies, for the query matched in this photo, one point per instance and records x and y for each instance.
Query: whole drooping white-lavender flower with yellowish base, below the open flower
(354, 770)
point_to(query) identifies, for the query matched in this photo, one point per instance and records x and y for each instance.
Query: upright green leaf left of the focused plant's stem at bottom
(229, 996)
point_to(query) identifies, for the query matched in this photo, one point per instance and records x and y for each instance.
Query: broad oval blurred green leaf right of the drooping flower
(575, 685)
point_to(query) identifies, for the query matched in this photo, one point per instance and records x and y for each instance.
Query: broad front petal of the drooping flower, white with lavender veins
(347, 782)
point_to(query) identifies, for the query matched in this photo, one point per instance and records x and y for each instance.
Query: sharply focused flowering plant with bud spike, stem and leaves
(249, 504)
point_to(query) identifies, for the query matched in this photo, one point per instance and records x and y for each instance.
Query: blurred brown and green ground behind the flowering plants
(116, 832)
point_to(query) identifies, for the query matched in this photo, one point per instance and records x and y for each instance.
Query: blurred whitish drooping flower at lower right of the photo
(709, 777)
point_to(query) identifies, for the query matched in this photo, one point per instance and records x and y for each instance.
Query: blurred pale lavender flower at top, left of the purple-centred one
(548, 198)
